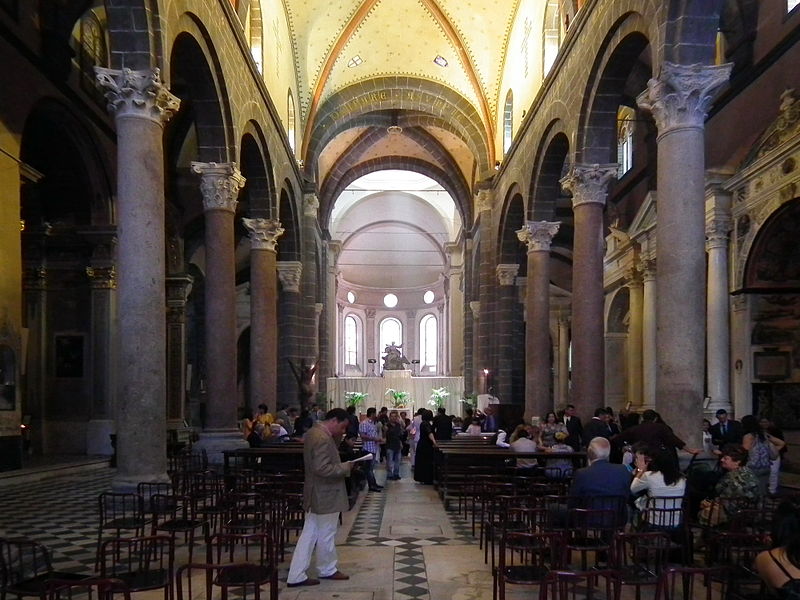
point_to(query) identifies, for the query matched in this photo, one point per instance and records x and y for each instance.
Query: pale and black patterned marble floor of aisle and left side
(398, 544)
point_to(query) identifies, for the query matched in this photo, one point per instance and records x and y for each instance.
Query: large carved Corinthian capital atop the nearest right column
(681, 96)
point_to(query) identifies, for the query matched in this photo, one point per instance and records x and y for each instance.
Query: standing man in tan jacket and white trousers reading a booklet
(324, 497)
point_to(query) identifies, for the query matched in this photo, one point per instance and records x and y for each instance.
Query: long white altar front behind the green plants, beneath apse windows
(418, 388)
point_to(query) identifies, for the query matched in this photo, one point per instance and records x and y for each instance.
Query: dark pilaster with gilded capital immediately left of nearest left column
(104, 284)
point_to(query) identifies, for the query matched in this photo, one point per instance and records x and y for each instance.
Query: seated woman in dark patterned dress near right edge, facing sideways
(738, 483)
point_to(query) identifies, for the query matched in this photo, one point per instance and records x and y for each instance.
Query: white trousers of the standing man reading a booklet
(319, 531)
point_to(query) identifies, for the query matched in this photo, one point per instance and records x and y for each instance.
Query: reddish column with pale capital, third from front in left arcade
(264, 234)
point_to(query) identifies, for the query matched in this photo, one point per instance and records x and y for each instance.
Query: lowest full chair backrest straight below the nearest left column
(149, 554)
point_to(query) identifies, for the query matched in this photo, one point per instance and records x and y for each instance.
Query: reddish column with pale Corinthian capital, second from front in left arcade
(220, 184)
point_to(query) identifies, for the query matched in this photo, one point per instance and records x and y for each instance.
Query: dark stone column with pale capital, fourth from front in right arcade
(504, 316)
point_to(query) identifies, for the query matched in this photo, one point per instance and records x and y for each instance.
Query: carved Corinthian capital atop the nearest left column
(138, 94)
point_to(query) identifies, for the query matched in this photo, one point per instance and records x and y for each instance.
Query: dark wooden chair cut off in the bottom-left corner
(26, 569)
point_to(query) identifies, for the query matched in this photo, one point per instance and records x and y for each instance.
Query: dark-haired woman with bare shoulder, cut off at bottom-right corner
(779, 567)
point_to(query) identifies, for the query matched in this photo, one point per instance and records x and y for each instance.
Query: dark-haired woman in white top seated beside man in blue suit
(657, 475)
